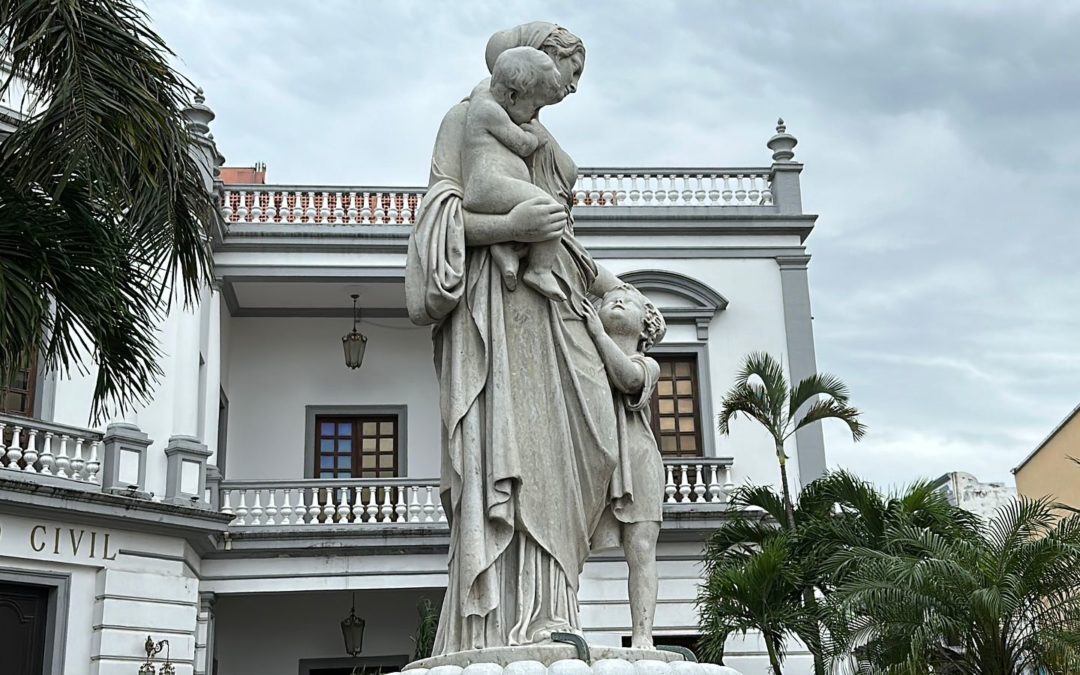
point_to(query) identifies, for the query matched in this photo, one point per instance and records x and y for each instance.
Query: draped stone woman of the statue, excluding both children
(529, 421)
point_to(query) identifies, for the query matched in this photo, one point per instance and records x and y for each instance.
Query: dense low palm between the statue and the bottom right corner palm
(834, 515)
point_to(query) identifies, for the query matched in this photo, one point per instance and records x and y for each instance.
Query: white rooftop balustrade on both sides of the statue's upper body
(596, 188)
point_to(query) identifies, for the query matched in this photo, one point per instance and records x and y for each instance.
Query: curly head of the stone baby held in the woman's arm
(525, 80)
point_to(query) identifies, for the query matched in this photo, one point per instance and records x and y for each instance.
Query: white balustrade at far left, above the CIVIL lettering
(33, 448)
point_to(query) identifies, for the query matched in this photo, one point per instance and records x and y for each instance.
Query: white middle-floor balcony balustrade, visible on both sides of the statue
(316, 503)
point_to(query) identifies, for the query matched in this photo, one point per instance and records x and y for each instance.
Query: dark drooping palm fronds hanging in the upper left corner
(103, 208)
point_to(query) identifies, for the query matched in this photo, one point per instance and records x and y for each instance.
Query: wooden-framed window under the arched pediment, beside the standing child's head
(677, 409)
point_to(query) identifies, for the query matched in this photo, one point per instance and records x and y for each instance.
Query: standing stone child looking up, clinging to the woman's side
(624, 329)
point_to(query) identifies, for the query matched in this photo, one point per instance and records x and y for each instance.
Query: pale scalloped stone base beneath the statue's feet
(562, 659)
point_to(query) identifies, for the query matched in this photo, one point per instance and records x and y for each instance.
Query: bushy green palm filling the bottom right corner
(1004, 603)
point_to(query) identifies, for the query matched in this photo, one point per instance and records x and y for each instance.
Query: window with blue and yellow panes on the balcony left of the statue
(363, 447)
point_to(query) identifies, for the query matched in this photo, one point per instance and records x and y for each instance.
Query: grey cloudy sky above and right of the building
(940, 140)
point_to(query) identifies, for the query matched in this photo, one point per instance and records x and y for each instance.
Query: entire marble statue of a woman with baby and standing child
(547, 452)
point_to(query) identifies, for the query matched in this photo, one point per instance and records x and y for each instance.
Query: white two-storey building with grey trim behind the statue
(267, 488)
